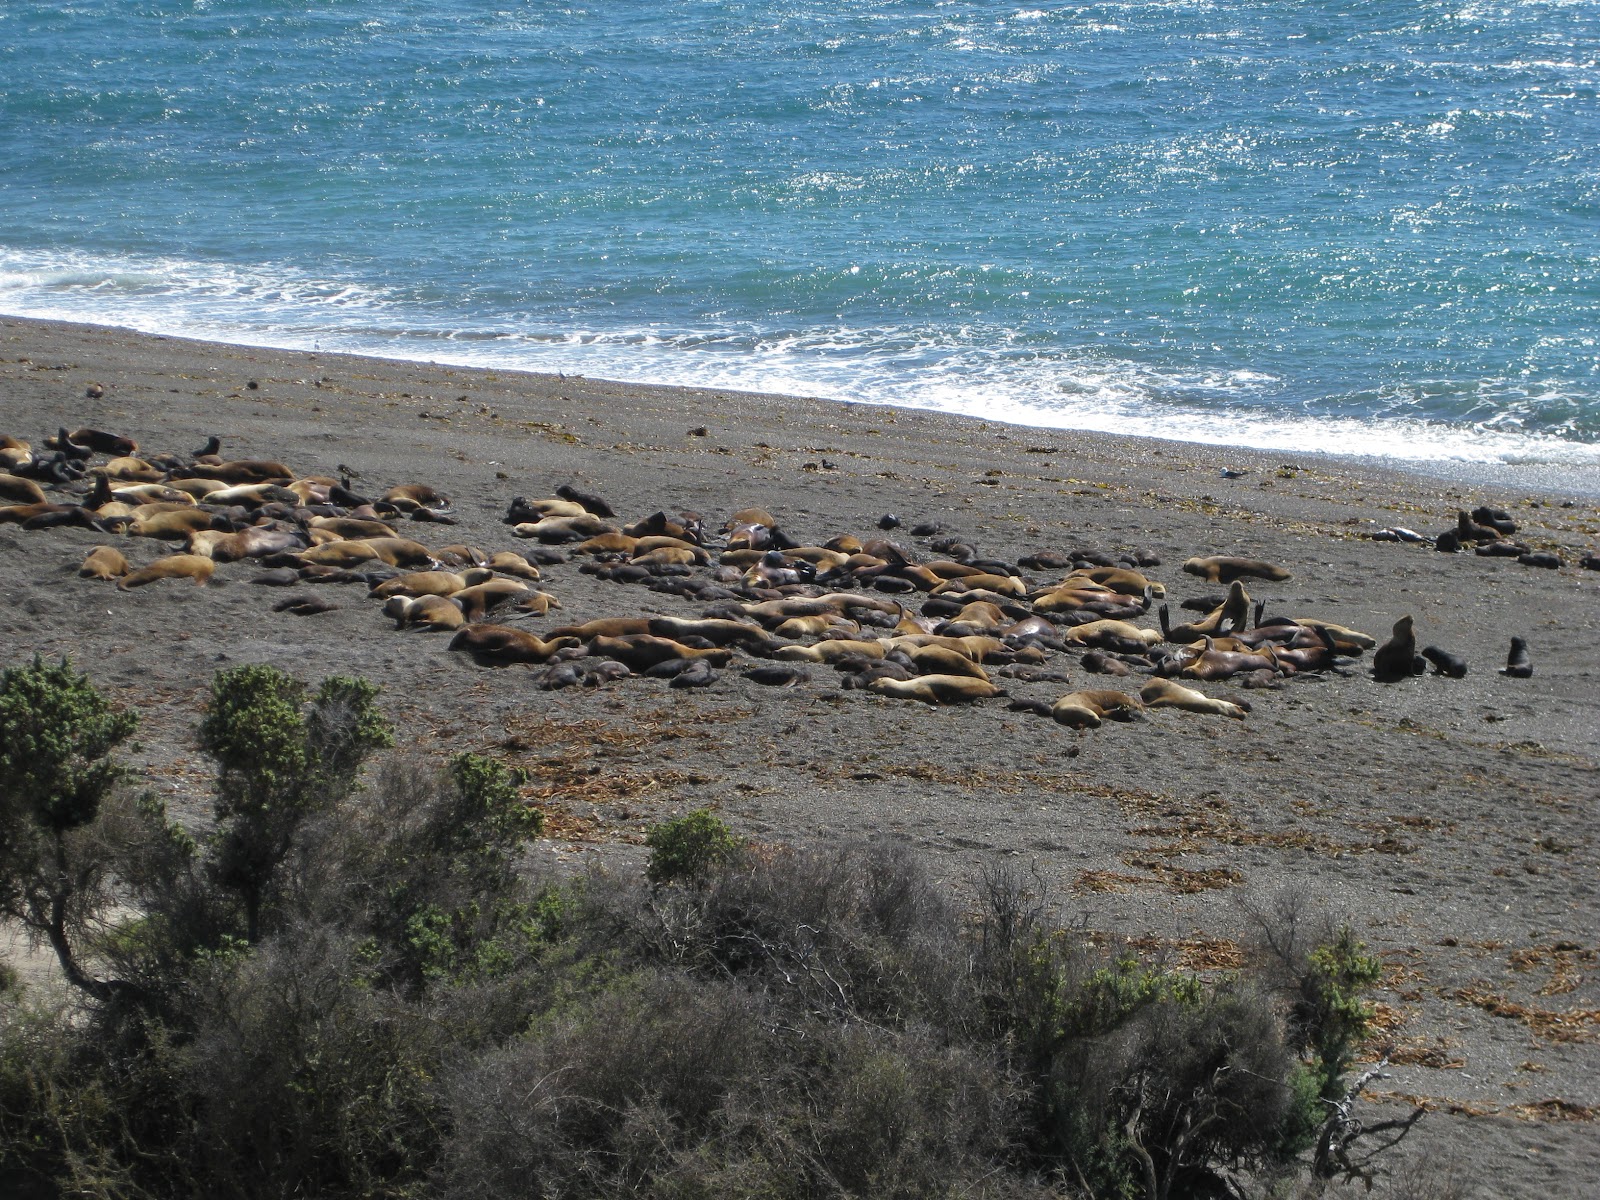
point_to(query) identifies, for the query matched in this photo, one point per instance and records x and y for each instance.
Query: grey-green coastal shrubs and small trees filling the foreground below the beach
(348, 983)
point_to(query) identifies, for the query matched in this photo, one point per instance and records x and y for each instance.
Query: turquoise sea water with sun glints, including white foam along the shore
(1366, 228)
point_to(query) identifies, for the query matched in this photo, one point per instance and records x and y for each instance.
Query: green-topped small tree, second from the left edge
(278, 764)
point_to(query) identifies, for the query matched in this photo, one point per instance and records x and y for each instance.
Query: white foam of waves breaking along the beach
(998, 375)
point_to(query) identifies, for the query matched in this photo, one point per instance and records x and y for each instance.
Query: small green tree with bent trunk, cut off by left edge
(55, 737)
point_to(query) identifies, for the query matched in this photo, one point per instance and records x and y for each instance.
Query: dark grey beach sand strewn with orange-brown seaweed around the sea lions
(1452, 822)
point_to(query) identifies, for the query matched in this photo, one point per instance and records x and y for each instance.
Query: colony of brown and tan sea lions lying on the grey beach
(937, 625)
